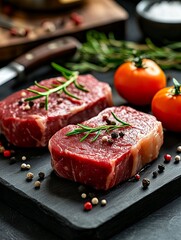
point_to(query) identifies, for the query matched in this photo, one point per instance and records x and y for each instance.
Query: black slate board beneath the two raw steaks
(57, 205)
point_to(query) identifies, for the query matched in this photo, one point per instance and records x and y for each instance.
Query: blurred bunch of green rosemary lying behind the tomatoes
(102, 53)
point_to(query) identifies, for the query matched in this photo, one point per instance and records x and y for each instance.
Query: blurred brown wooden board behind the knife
(103, 15)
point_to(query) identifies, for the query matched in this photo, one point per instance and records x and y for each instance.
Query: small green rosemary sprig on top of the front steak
(88, 130)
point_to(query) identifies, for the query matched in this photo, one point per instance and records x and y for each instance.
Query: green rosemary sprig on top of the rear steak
(70, 77)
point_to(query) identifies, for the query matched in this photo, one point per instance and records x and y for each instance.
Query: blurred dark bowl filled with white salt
(160, 20)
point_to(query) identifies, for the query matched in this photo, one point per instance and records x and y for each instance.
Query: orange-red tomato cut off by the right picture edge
(166, 107)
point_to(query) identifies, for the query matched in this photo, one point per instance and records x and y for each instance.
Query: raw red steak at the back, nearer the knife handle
(31, 125)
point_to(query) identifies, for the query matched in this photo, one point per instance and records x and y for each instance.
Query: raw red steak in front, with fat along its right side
(103, 164)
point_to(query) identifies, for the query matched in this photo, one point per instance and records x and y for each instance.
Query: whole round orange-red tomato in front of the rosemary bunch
(138, 85)
